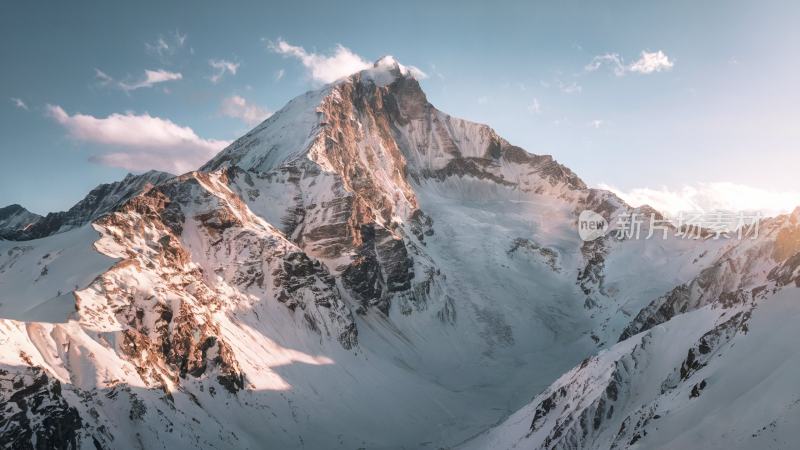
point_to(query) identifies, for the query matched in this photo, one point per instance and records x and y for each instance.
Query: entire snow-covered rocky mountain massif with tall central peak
(361, 270)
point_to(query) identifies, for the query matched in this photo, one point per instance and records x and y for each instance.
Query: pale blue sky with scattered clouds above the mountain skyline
(661, 100)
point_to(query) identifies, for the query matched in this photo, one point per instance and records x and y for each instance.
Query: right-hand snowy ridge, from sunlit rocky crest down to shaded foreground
(713, 367)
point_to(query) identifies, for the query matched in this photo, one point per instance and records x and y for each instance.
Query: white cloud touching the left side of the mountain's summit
(323, 68)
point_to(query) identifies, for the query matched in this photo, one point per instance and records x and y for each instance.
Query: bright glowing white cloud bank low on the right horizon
(710, 197)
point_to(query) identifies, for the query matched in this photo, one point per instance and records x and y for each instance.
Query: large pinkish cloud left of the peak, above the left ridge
(139, 142)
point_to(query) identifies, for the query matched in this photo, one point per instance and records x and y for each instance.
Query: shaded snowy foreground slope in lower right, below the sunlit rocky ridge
(713, 378)
